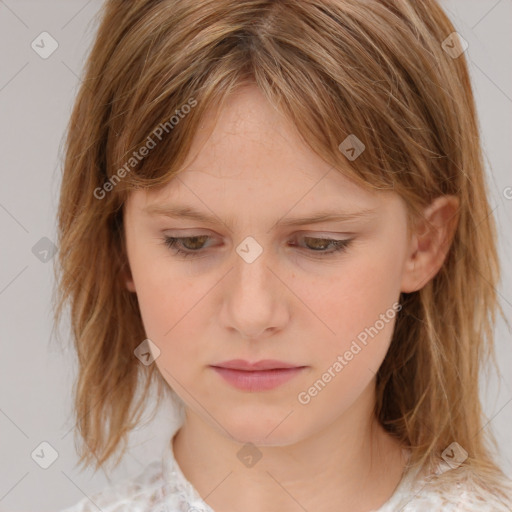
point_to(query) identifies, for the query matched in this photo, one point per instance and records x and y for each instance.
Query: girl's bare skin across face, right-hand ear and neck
(291, 304)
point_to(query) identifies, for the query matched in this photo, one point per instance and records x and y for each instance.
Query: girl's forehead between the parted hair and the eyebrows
(249, 156)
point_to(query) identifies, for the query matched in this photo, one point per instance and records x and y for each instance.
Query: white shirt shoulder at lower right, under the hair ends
(456, 490)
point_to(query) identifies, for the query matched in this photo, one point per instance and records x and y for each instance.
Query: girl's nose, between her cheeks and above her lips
(254, 299)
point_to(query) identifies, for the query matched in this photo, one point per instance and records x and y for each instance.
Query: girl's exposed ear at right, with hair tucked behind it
(430, 241)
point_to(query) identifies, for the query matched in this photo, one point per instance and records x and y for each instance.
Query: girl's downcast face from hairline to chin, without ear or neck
(258, 283)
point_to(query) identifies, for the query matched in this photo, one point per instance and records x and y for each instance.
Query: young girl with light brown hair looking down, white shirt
(276, 211)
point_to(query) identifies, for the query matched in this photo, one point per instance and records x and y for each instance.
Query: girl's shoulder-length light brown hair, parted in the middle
(375, 69)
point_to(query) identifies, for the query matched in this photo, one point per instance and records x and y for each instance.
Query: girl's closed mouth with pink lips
(259, 376)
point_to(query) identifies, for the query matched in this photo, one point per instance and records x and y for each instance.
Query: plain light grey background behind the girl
(36, 96)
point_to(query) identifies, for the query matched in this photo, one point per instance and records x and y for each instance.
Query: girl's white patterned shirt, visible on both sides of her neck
(162, 487)
